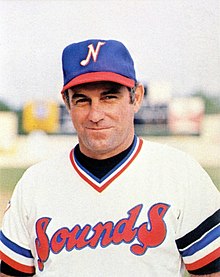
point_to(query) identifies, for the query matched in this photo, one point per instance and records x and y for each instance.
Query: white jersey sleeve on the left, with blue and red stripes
(14, 236)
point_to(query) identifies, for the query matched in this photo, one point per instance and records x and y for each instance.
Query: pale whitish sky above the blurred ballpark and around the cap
(174, 41)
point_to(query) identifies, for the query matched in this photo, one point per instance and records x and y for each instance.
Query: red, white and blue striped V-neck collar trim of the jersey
(105, 181)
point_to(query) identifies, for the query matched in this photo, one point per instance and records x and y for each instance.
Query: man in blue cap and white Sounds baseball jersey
(115, 205)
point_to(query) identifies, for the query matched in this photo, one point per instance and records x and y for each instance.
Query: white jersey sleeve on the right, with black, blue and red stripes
(199, 232)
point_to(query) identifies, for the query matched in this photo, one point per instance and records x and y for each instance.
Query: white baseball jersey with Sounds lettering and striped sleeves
(154, 213)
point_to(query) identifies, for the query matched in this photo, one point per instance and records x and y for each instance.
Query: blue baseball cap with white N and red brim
(97, 60)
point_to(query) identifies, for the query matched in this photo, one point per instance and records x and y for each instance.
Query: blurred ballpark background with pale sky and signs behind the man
(176, 48)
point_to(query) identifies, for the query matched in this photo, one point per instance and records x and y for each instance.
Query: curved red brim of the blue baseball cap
(99, 76)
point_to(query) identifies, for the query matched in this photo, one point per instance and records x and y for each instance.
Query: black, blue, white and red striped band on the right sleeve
(200, 248)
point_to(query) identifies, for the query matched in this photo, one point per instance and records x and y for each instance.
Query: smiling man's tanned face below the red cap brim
(102, 115)
